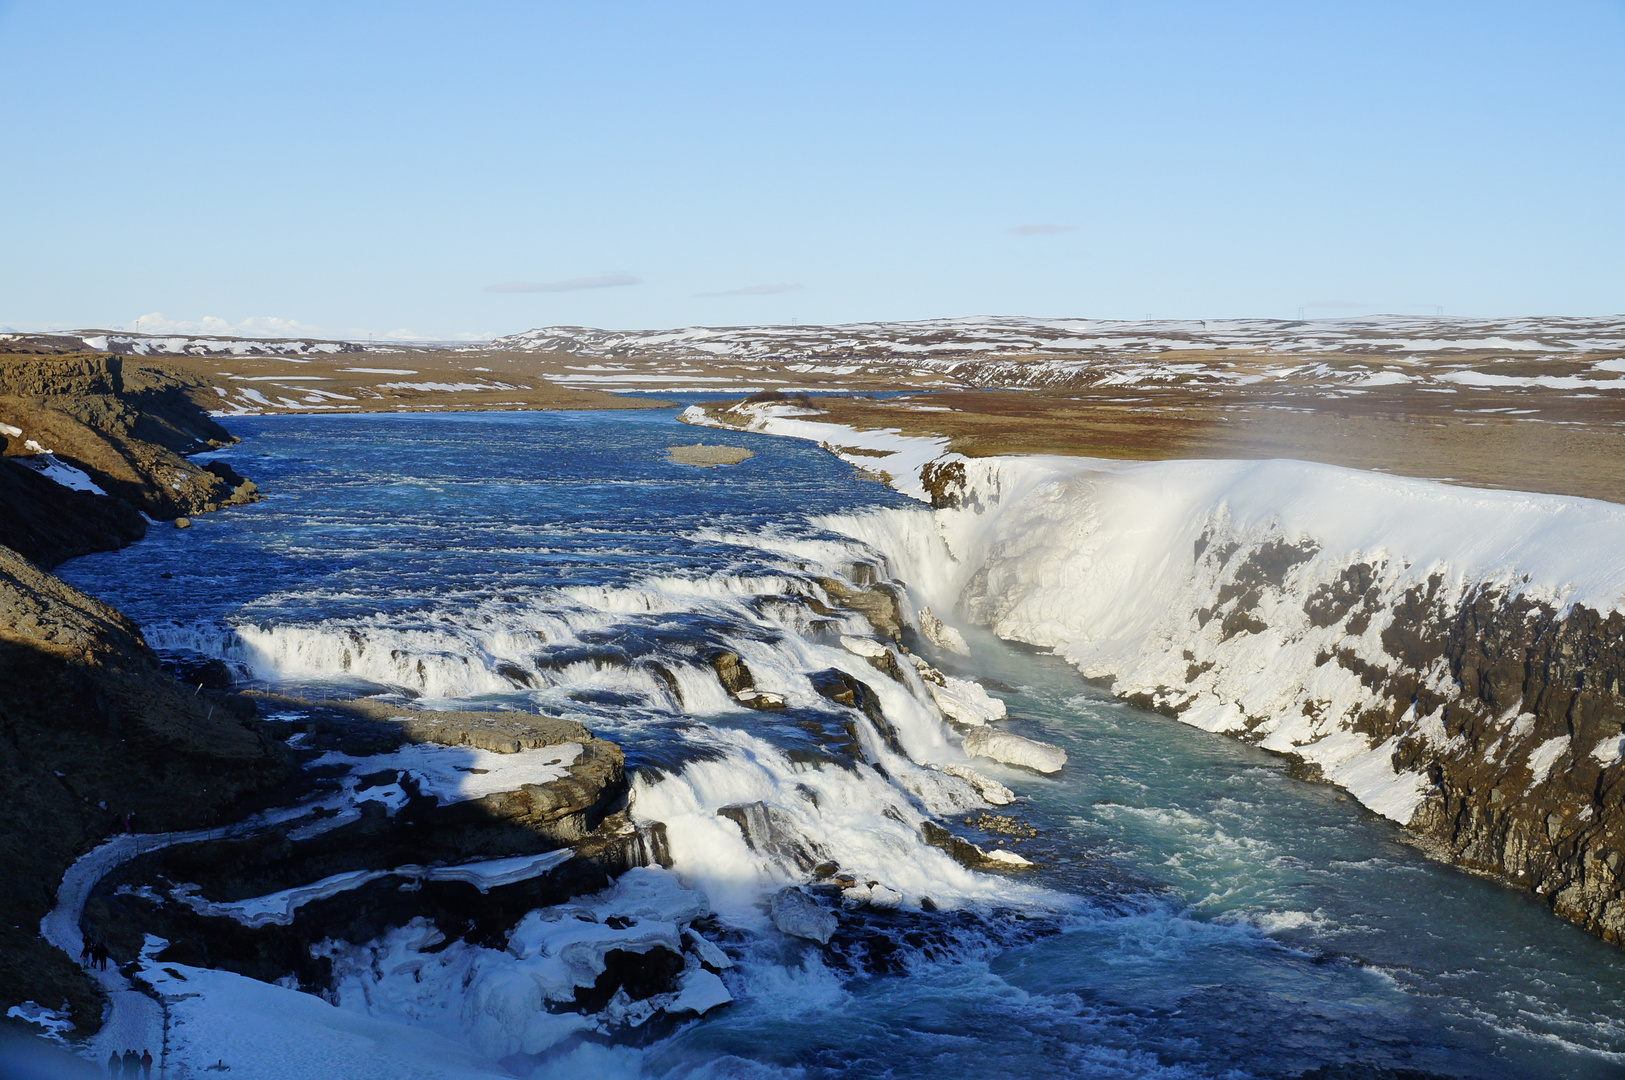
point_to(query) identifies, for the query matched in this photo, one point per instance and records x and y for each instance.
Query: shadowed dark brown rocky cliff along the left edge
(93, 733)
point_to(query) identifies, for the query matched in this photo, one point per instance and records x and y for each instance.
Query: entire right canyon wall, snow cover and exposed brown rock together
(1452, 657)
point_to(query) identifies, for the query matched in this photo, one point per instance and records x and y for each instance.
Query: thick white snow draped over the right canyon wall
(1210, 587)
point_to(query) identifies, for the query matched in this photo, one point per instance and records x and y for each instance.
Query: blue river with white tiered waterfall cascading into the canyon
(1197, 912)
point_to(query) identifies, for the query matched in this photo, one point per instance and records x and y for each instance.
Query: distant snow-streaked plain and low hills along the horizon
(1335, 355)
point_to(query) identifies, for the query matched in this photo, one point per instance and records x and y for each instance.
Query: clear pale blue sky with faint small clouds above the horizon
(464, 170)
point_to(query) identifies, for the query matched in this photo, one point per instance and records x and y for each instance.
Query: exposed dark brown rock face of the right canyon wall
(1507, 711)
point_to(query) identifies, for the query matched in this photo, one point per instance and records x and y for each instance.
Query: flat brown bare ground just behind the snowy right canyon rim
(1556, 444)
